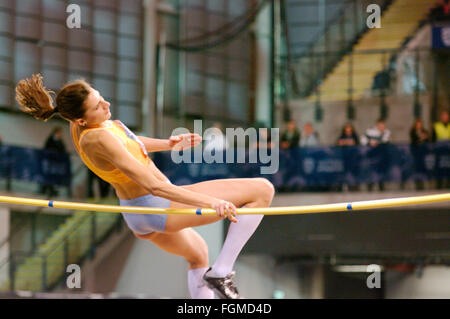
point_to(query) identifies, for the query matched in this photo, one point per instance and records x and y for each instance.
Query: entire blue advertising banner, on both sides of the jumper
(296, 169)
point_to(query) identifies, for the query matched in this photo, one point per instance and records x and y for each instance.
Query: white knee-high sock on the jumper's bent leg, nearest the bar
(238, 235)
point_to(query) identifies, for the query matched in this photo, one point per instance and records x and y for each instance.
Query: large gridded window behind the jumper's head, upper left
(106, 51)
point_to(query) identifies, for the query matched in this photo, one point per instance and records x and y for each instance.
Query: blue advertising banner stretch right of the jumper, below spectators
(326, 166)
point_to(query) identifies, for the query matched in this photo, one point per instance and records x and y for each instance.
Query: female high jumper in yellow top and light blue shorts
(116, 155)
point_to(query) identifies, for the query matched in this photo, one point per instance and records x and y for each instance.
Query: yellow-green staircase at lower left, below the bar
(69, 244)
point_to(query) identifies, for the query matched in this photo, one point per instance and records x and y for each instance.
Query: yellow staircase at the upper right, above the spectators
(366, 59)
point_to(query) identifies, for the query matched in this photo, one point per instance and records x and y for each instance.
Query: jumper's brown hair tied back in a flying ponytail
(37, 101)
